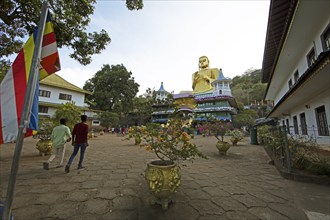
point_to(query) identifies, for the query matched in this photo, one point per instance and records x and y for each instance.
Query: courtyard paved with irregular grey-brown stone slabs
(241, 185)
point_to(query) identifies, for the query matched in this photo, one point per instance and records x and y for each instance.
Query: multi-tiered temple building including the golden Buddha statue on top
(210, 99)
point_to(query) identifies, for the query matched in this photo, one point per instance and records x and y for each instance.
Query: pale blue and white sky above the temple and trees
(163, 41)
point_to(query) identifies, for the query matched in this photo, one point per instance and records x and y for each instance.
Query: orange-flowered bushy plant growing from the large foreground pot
(169, 142)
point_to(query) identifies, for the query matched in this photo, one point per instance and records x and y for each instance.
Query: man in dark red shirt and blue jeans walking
(79, 141)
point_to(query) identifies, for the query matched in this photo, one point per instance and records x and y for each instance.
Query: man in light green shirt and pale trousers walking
(60, 135)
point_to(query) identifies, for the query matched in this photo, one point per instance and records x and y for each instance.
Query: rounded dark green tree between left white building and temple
(113, 89)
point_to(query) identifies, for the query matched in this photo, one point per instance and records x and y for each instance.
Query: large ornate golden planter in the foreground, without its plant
(163, 178)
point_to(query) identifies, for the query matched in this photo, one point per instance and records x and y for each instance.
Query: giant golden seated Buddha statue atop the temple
(203, 78)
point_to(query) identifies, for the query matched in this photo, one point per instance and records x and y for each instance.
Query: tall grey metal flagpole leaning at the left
(25, 116)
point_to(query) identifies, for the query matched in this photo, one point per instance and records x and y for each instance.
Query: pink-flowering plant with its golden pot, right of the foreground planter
(218, 129)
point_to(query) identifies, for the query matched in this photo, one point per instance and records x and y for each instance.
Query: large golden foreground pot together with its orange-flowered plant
(170, 144)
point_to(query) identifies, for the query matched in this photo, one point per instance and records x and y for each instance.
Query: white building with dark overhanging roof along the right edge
(296, 66)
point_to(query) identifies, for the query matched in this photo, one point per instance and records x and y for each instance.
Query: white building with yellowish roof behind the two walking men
(54, 91)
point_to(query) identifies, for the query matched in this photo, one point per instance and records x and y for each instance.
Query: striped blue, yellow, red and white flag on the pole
(13, 86)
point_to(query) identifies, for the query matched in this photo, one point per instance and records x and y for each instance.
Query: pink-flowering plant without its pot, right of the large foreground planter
(216, 128)
